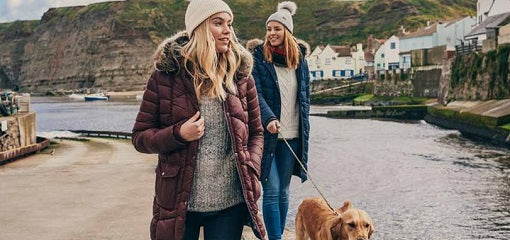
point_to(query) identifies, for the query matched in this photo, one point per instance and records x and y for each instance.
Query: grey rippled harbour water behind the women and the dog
(416, 180)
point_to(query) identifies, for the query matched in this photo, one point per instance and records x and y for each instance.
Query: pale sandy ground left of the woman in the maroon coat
(97, 189)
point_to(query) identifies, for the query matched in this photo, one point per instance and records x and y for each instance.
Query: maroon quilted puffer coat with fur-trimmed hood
(167, 103)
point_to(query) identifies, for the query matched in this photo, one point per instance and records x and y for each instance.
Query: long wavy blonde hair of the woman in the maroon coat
(212, 72)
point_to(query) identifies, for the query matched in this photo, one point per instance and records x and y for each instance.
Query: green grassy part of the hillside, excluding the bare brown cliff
(315, 21)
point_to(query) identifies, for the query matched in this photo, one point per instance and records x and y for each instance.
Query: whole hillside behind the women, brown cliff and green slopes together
(108, 46)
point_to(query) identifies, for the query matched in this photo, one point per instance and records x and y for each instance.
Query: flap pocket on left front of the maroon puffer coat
(166, 185)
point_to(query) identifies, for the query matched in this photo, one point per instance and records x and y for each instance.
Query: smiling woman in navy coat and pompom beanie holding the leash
(283, 82)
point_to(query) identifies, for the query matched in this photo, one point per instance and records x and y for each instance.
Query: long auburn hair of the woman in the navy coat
(290, 47)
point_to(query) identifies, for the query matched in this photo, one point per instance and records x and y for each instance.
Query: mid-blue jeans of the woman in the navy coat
(275, 202)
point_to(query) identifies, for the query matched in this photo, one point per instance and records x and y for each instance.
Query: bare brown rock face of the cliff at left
(86, 51)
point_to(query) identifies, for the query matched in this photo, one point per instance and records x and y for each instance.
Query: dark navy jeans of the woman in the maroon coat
(219, 225)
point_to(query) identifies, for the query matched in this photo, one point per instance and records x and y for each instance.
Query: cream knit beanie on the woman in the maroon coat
(199, 10)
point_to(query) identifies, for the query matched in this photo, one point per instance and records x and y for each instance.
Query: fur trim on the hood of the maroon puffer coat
(168, 56)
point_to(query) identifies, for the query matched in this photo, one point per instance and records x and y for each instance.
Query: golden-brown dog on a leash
(315, 221)
